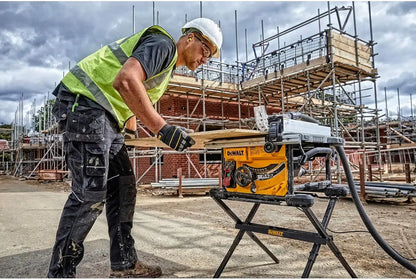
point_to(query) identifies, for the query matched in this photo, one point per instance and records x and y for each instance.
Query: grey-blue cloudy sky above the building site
(39, 40)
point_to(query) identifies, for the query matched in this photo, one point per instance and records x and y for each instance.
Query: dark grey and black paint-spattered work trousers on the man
(101, 175)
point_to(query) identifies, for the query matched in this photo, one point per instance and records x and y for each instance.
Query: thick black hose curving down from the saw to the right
(370, 227)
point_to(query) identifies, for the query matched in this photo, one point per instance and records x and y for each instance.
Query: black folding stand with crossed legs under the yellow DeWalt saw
(320, 238)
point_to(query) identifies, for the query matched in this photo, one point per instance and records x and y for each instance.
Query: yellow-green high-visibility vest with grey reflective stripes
(94, 75)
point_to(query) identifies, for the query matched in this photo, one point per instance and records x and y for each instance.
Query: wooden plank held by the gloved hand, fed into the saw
(201, 138)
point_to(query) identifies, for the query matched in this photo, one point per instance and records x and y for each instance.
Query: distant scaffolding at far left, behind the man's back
(36, 145)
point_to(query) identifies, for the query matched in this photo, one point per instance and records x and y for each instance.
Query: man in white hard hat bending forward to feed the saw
(93, 103)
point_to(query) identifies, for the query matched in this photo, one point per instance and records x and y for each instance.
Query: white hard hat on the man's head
(209, 29)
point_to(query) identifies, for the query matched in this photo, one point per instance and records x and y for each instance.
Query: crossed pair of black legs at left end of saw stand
(240, 234)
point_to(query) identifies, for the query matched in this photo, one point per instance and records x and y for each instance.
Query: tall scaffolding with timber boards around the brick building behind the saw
(321, 75)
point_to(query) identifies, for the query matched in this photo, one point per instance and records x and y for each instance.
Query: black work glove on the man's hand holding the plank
(175, 137)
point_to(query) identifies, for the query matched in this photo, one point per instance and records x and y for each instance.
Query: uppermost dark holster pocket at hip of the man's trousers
(85, 124)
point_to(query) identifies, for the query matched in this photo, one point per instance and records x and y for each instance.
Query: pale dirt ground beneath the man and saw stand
(188, 237)
